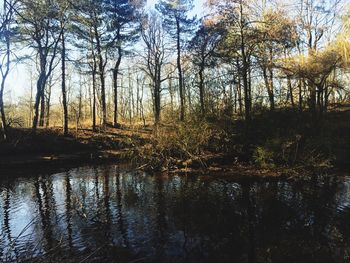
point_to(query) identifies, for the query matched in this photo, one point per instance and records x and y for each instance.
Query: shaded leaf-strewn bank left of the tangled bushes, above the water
(50, 148)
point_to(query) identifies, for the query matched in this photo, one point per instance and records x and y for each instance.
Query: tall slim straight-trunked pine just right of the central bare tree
(178, 24)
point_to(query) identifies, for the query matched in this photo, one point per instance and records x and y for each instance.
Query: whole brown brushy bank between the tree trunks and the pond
(273, 145)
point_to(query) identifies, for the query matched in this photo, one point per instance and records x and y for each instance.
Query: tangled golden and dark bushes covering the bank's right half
(270, 140)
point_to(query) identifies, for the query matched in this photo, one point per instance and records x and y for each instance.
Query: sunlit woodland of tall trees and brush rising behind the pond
(178, 83)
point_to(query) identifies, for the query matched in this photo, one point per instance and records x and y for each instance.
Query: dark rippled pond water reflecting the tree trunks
(109, 214)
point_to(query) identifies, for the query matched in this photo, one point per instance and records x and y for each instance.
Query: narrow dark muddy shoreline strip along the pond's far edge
(25, 163)
